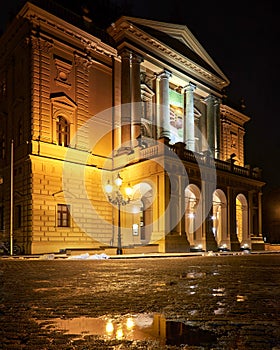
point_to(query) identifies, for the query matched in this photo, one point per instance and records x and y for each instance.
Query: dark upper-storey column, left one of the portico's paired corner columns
(125, 100)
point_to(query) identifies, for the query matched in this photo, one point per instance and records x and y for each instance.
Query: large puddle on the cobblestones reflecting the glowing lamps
(134, 327)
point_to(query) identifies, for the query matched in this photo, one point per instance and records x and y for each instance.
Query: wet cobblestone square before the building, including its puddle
(210, 302)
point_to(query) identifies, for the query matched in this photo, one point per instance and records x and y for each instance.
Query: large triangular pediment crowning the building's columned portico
(173, 40)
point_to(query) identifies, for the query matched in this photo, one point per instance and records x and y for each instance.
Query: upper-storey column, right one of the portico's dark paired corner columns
(136, 97)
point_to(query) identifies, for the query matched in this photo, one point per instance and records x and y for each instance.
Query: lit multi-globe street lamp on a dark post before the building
(115, 197)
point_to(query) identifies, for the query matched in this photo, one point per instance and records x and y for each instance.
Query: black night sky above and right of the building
(243, 40)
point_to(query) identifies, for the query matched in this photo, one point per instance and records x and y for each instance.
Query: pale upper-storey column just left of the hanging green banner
(164, 108)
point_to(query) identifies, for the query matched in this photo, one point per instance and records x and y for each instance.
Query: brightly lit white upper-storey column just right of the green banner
(189, 132)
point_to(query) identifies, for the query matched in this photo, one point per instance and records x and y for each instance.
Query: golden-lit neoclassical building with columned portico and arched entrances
(144, 100)
